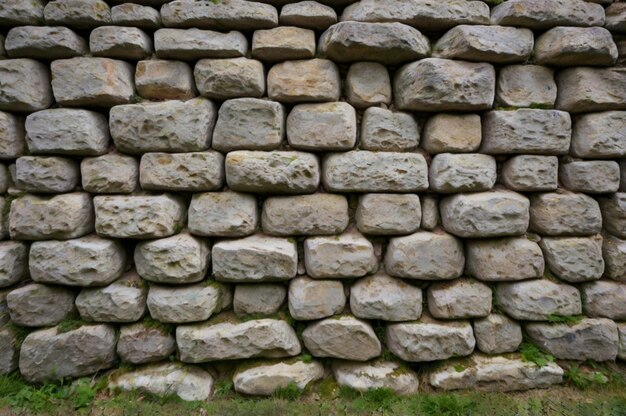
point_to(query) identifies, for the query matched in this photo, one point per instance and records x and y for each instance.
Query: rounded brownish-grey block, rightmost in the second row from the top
(576, 46)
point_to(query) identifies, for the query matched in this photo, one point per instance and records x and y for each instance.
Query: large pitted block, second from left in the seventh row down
(86, 261)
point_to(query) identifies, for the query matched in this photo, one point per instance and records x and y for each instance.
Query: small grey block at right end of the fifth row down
(590, 176)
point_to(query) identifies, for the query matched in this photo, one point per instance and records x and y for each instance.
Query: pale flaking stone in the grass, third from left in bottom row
(376, 374)
